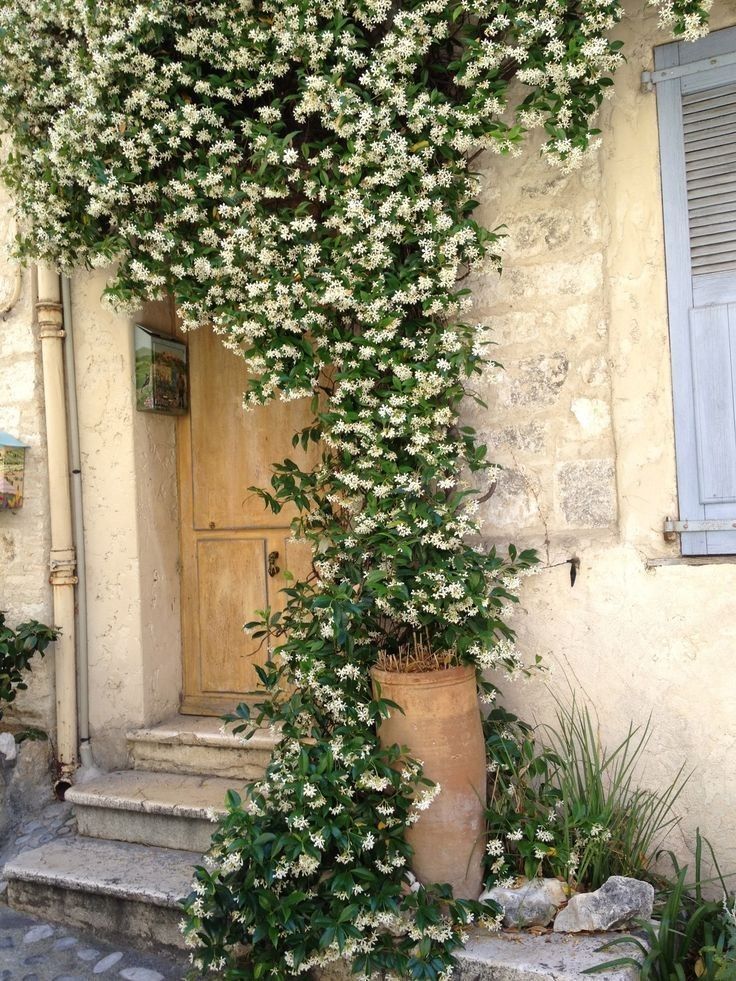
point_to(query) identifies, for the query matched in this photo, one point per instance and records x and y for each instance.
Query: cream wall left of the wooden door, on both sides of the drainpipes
(130, 515)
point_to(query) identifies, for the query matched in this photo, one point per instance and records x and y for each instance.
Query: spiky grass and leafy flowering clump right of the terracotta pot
(565, 806)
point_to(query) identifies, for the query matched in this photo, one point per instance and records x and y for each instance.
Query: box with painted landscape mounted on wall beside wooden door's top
(161, 382)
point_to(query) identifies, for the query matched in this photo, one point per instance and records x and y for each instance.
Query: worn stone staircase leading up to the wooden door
(140, 833)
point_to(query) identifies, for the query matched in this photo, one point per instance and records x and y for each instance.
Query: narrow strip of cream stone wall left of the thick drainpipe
(24, 534)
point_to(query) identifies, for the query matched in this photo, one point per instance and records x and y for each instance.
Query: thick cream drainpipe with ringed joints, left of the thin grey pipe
(62, 561)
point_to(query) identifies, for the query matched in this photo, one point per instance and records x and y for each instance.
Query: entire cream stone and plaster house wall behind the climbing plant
(581, 420)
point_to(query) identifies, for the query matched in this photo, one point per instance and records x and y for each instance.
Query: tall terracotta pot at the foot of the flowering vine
(441, 726)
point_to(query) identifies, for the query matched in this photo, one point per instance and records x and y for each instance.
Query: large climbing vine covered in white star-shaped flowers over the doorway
(298, 175)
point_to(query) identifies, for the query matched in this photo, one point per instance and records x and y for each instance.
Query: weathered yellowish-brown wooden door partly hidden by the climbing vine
(233, 551)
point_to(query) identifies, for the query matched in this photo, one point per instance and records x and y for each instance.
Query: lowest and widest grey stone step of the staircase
(116, 888)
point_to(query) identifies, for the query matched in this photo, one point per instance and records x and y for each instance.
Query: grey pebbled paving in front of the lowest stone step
(34, 950)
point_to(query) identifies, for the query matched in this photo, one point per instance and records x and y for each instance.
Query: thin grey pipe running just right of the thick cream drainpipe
(88, 770)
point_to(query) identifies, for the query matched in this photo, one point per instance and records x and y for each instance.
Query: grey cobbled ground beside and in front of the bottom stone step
(35, 950)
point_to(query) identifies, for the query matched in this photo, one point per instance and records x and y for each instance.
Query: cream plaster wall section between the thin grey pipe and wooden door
(131, 534)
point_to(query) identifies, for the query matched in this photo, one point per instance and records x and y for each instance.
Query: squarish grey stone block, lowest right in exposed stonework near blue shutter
(586, 491)
